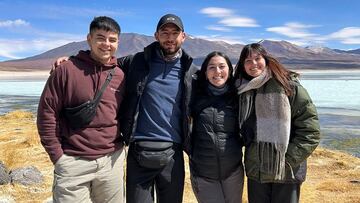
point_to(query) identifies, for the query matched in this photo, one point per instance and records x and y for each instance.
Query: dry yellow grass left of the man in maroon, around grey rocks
(20, 146)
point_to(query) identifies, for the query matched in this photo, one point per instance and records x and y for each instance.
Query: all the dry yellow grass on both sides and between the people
(332, 176)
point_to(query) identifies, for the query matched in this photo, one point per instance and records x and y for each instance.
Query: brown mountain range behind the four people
(293, 56)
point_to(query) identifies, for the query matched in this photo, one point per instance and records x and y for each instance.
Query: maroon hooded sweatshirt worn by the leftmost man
(71, 84)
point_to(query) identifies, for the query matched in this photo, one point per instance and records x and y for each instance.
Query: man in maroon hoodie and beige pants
(88, 160)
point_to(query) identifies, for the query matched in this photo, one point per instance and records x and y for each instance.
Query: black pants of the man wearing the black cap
(168, 181)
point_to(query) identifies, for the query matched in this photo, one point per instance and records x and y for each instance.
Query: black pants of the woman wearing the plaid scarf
(273, 192)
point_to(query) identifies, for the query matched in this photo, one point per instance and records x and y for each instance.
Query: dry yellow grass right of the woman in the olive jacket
(332, 177)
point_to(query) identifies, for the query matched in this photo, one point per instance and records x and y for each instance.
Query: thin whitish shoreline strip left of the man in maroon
(23, 75)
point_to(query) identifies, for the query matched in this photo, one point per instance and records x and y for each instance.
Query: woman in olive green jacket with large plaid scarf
(279, 125)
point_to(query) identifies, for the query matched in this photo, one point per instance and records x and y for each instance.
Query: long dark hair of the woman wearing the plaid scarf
(279, 72)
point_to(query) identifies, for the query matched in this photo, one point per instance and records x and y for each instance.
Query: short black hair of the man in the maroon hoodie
(104, 23)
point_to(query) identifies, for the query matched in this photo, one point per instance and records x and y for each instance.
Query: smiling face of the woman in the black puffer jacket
(217, 71)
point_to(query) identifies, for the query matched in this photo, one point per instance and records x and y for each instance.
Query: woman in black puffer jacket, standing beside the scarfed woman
(216, 168)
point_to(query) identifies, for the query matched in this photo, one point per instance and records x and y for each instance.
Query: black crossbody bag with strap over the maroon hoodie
(80, 116)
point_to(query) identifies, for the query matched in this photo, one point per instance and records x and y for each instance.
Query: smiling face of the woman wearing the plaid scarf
(254, 64)
